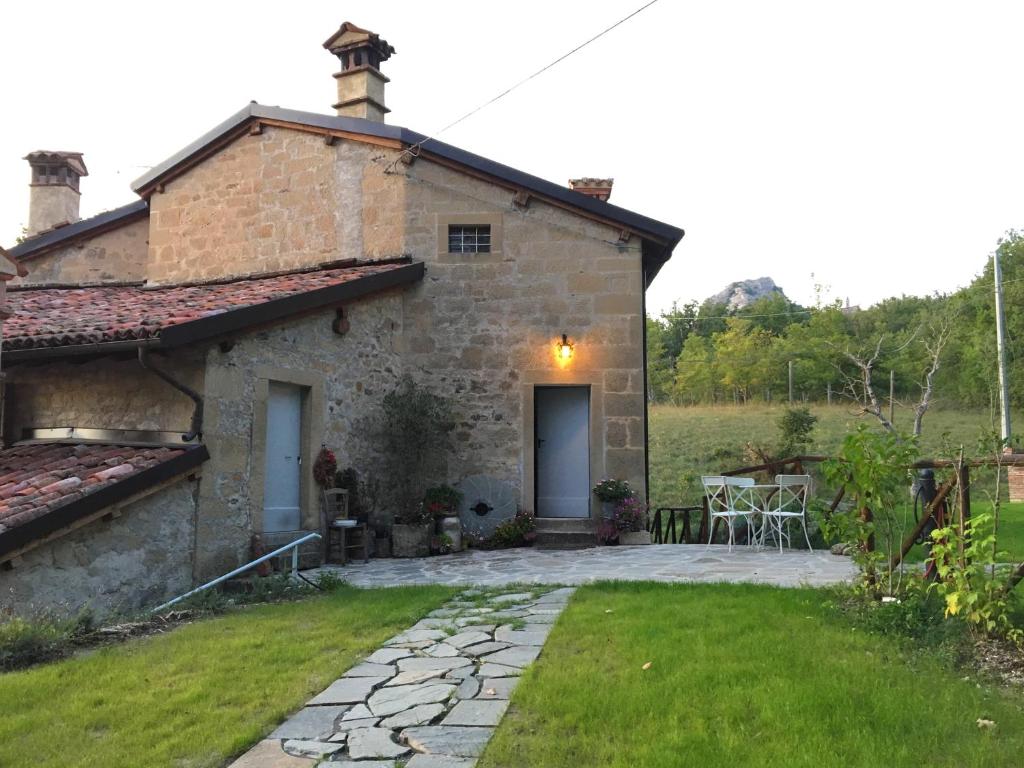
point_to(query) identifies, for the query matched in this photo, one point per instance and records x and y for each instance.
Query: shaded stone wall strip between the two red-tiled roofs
(103, 394)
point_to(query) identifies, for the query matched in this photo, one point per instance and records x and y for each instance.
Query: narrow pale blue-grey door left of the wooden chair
(284, 438)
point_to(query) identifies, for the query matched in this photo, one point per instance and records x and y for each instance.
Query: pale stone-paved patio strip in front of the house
(668, 563)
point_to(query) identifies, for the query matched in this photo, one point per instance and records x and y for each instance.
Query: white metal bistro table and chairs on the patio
(766, 508)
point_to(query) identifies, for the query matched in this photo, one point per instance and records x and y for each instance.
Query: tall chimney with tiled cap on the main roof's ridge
(361, 84)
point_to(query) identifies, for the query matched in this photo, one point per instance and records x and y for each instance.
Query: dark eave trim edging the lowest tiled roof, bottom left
(106, 497)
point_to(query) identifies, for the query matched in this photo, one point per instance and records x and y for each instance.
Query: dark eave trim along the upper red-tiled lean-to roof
(276, 310)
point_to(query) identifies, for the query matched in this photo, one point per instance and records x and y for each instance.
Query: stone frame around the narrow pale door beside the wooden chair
(312, 437)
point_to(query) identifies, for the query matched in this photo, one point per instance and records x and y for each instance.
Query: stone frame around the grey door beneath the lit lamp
(593, 380)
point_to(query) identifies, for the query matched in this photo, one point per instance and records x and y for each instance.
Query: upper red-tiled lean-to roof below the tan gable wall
(63, 317)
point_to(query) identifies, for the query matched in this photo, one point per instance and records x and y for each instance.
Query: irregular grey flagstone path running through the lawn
(430, 698)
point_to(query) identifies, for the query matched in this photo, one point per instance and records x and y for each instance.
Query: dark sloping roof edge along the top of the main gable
(659, 231)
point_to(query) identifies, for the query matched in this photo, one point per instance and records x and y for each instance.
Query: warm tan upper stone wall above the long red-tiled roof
(279, 200)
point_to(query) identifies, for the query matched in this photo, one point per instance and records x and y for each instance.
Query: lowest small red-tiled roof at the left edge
(35, 481)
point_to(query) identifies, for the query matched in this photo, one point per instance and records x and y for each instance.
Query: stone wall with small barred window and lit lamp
(483, 327)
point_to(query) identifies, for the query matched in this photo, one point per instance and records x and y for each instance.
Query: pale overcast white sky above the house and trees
(875, 146)
